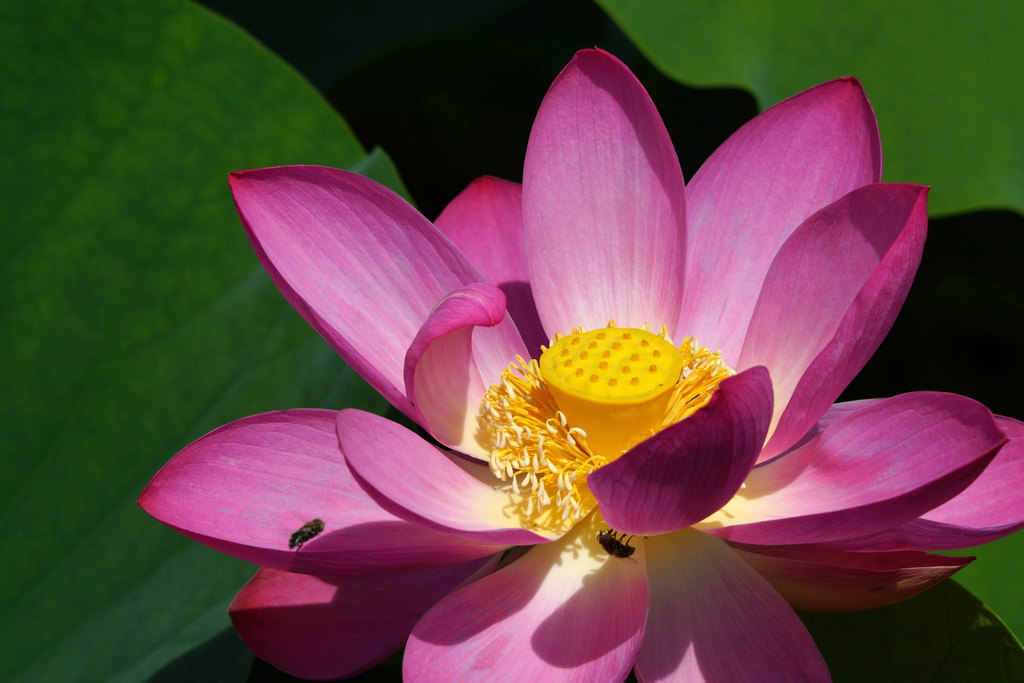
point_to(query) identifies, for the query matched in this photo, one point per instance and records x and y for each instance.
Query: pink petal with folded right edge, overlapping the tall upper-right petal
(831, 297)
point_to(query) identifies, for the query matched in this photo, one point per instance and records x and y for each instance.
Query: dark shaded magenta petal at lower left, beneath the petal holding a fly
(324, 628)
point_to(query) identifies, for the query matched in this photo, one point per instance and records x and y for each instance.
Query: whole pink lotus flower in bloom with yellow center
(654, 487)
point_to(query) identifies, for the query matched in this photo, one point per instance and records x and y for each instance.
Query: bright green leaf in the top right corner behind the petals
(945, 78)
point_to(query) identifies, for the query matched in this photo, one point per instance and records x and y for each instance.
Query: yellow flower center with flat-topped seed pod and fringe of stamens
(592, 397)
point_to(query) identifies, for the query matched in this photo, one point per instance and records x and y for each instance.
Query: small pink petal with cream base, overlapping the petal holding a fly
(417, 482)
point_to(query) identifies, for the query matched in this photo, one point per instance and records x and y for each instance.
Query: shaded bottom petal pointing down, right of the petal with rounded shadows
(714, 619)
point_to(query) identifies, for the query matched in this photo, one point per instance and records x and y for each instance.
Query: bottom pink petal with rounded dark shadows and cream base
(565, 612)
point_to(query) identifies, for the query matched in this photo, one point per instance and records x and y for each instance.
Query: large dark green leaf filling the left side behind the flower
(136, 316)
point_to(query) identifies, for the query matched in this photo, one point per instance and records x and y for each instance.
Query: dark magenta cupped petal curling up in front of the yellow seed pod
(685, 474)
